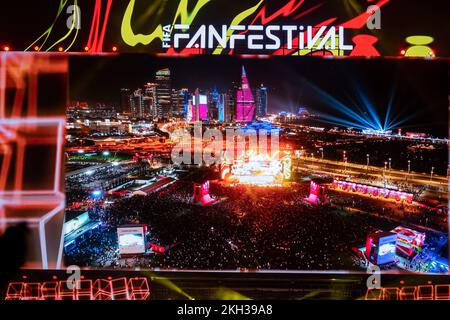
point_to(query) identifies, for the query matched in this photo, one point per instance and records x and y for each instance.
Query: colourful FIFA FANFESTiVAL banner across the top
(369, 28)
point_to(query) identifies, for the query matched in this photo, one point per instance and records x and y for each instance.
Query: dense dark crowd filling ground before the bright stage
(248, 227)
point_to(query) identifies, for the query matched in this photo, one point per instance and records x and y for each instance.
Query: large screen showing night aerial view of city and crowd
(344, 164)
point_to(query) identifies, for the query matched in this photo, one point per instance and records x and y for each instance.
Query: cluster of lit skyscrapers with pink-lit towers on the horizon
(159, 99)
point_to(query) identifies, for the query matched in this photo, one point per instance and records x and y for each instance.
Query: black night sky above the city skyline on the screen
(417, 90)
